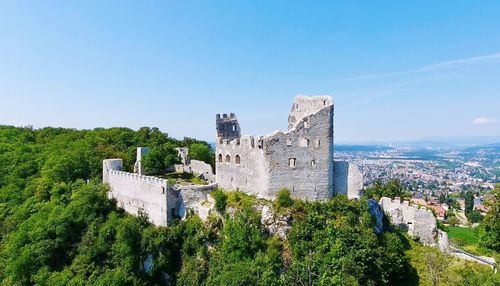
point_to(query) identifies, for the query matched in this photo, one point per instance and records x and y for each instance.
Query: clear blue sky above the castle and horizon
(397, 69)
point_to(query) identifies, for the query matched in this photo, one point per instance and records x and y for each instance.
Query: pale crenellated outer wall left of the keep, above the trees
(135, 192)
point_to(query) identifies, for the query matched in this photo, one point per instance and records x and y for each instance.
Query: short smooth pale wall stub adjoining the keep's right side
(347, 179)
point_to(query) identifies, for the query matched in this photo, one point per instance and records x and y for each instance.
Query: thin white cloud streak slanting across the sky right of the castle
(492, 58)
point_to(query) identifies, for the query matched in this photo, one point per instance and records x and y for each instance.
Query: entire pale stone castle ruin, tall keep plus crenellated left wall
(300, 159)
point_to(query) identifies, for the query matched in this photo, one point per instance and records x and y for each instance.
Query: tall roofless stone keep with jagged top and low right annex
(300, 159)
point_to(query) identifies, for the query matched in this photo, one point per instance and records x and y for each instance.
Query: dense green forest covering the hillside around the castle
(57, 226)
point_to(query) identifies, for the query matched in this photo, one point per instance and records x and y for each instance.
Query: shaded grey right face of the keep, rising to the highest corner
(302, 158)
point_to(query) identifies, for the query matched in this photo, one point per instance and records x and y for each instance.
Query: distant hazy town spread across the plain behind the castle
(429, 172)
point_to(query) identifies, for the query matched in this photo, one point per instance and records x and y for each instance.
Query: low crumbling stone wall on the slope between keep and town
(419, 223)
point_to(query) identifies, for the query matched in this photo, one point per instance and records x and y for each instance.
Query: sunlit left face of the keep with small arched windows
(240, 165)
